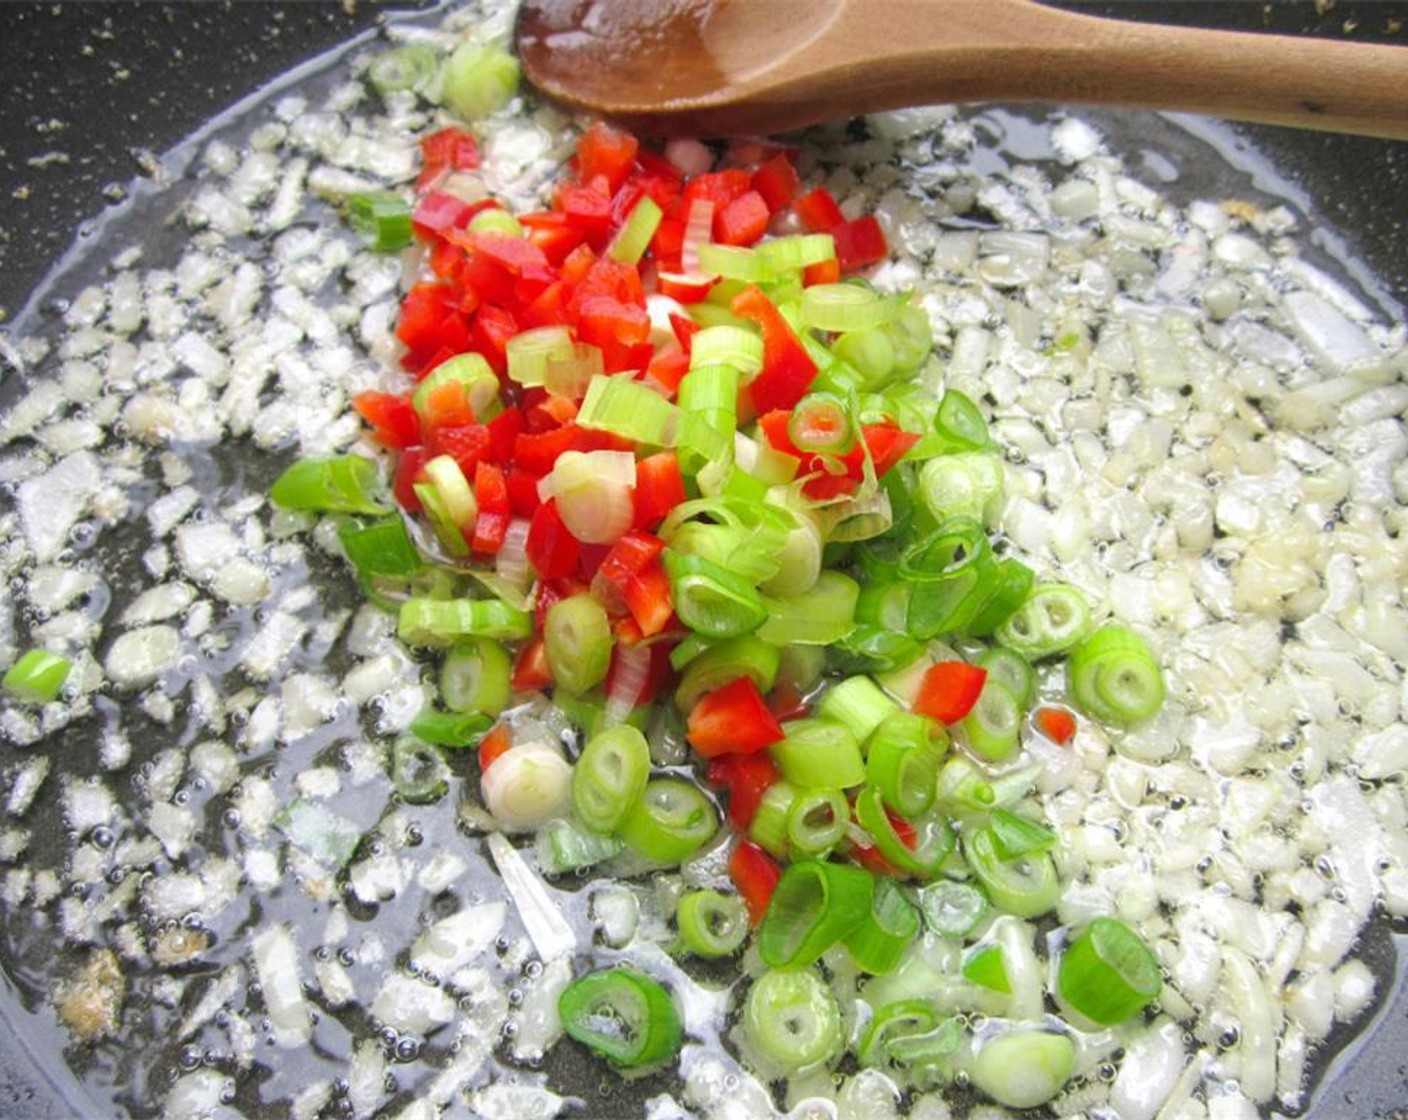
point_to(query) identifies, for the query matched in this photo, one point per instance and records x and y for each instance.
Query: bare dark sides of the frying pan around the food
(96, 88)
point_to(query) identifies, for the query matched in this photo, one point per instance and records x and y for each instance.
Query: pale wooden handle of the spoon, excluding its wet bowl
(1023, 51)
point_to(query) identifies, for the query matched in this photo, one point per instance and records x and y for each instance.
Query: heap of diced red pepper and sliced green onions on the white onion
(672, 467)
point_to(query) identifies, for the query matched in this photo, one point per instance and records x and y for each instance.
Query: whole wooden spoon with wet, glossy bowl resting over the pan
(757, 67)
